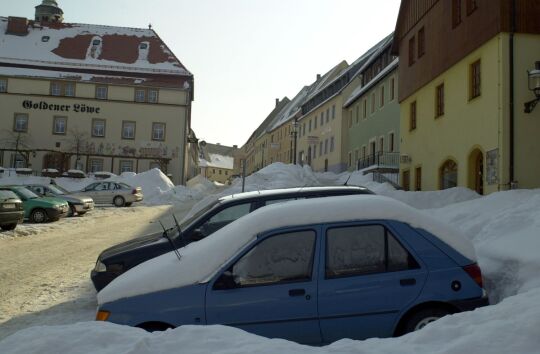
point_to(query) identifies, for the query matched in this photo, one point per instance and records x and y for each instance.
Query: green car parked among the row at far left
(39, 209)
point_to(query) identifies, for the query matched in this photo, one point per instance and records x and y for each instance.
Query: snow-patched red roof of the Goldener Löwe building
(91, 47)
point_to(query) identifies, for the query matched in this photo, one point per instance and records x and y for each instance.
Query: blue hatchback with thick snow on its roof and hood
(312, 271)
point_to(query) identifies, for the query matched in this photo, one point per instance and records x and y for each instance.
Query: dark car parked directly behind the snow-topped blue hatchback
(120, 258)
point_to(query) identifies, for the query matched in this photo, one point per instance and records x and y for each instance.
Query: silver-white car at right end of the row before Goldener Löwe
(117, 193)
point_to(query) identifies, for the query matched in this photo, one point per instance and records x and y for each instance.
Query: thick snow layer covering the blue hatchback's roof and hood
(201, 260)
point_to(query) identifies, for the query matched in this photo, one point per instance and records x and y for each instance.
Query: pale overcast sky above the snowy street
(243, 53)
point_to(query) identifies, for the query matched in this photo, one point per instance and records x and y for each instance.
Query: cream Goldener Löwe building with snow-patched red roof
(92, 98)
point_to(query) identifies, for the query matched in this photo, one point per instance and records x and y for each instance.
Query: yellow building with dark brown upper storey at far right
(462, 95)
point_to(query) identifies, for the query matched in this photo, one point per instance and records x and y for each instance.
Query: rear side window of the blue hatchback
(364, 249)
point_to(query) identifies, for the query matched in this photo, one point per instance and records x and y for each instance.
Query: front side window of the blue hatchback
(279, 258)
